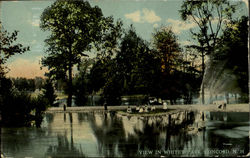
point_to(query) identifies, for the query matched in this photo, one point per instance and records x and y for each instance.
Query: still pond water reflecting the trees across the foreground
(108, 134)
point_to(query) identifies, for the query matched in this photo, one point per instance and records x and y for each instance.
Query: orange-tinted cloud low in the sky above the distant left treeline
(26, 68)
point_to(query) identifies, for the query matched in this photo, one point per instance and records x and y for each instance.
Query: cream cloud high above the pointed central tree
(143, 16)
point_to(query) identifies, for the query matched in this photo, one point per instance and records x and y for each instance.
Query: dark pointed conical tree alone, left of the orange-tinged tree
(136, 75)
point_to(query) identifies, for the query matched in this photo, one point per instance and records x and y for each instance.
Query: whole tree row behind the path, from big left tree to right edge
(126, 64)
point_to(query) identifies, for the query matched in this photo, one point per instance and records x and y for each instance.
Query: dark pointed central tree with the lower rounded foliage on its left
(115, 76)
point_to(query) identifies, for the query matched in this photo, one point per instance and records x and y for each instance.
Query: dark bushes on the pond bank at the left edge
(17, 106)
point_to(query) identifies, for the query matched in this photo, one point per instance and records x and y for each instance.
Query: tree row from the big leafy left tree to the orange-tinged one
(125, 64)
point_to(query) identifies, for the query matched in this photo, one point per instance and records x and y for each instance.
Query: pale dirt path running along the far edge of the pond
(212, 108)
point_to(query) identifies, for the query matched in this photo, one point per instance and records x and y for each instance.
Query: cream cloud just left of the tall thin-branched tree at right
(179, 26)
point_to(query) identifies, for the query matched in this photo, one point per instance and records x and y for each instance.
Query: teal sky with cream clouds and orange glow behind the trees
(145, 15)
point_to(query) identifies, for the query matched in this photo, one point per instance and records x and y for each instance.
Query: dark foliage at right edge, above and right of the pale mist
(233, 50)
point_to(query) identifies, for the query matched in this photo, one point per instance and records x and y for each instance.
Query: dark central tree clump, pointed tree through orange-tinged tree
(137, 69)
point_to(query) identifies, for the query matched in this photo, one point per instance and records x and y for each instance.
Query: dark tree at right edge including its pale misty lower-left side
(230, 59)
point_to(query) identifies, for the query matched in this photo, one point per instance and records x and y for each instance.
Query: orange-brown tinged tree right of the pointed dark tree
(169, 52)
